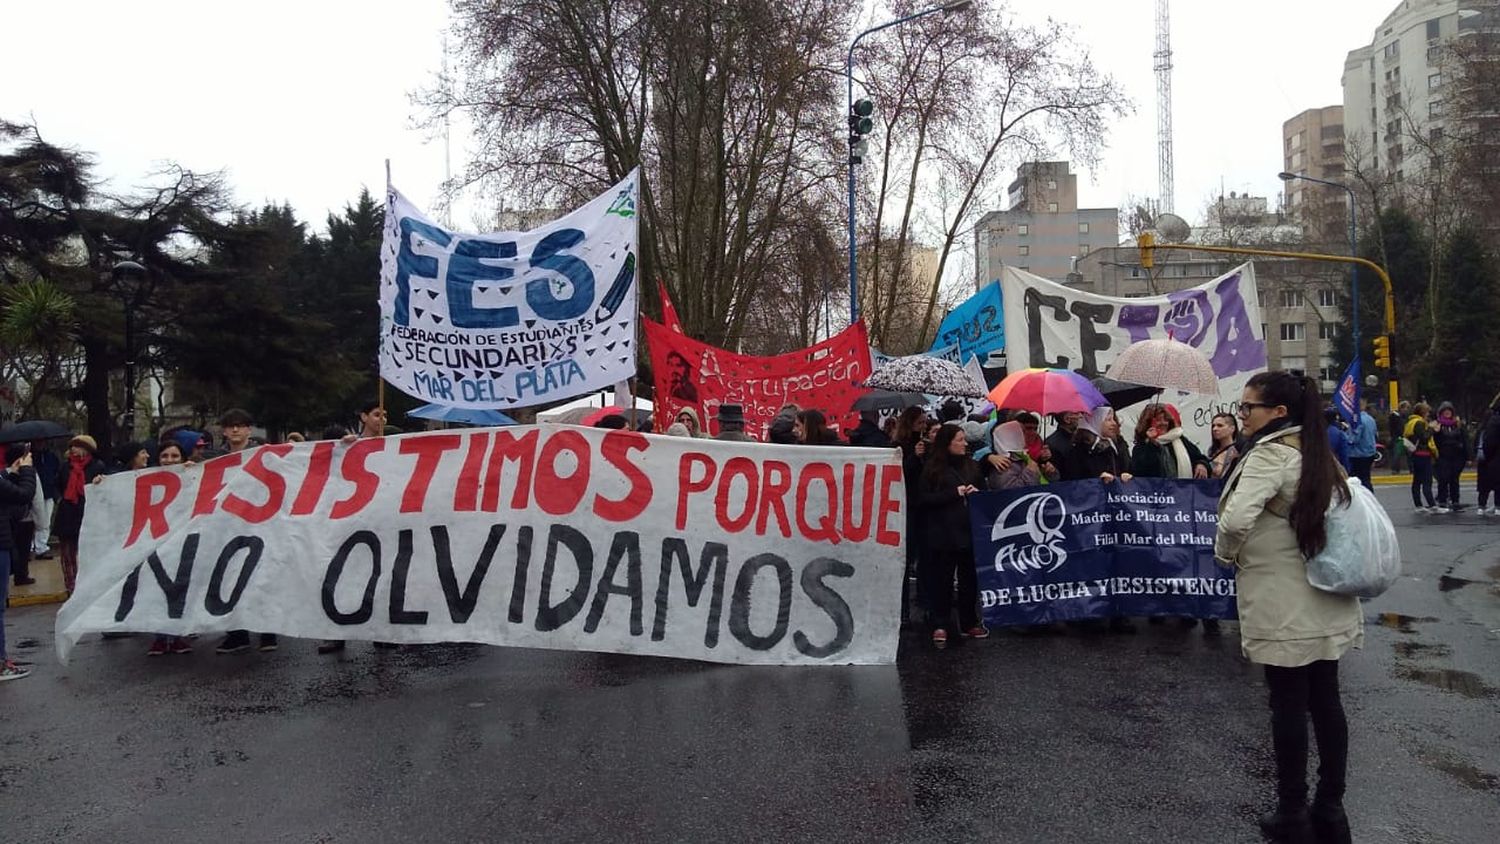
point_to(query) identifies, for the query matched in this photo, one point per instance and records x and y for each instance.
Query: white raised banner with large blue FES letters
(509, 319)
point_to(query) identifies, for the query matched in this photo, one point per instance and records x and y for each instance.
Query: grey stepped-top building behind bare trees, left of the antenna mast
(1043, 230)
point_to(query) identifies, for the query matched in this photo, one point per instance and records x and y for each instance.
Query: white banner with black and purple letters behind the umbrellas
(1054, 326)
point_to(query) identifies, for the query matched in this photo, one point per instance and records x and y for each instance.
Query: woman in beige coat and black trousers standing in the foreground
(1271, 519)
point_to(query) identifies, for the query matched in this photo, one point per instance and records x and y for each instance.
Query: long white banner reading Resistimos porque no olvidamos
(530, 536)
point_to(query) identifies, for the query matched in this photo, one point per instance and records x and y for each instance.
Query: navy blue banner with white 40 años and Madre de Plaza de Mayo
(1088, 549)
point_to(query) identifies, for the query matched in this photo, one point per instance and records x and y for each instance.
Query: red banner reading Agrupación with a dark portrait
(691, 374)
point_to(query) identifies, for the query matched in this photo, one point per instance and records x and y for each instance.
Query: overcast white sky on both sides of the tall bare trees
(304, 101)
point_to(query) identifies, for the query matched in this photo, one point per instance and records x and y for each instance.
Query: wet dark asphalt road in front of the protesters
(1159, 737)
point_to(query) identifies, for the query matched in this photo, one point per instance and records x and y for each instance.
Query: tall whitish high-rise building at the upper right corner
(1397, 86)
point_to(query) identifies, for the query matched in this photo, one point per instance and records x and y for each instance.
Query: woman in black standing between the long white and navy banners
(949, 477)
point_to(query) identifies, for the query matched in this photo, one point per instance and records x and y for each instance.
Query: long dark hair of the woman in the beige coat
(1321, 477)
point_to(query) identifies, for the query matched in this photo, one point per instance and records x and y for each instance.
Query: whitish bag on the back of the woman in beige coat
(1363, 557)
